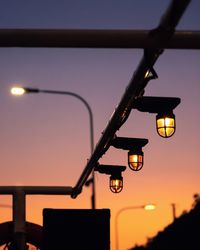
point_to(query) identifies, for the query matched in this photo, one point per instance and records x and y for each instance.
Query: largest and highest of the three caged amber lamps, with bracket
(163, 106)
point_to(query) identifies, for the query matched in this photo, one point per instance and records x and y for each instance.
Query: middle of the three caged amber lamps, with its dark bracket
(135, 154)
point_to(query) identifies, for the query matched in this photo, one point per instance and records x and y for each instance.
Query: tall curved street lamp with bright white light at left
(22, 90)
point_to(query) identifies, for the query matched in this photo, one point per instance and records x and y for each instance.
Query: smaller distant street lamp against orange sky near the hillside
(145, 207)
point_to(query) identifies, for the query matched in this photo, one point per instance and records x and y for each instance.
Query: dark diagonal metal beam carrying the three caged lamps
(162, 35)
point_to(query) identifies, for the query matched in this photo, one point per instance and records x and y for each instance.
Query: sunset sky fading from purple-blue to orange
(45, 139)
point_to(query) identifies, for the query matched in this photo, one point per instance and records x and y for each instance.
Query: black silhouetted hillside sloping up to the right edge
(182, 234)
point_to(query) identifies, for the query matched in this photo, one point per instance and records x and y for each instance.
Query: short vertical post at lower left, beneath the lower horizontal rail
(19, 220)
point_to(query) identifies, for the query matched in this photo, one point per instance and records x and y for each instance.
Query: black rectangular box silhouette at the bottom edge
(76, 229)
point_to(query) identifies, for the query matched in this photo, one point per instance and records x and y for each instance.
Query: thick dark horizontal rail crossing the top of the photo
(125, 39)
